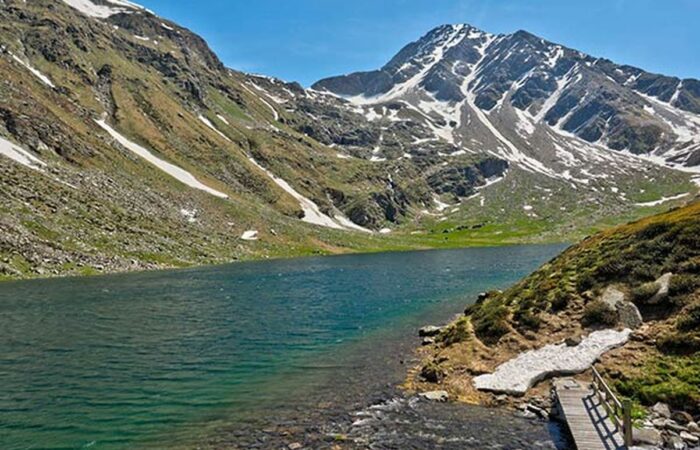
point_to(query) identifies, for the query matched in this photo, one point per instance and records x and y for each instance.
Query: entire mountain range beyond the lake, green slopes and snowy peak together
(125, 143)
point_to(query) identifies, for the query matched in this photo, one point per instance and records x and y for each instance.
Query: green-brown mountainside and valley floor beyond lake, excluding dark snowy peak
(126, 144)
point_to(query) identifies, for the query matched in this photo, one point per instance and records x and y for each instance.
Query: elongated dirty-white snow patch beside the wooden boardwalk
(516, 376)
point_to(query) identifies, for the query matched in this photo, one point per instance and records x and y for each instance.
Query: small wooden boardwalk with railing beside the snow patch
(587, 418)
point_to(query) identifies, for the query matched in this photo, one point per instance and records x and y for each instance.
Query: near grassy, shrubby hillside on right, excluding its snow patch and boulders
(662, 363)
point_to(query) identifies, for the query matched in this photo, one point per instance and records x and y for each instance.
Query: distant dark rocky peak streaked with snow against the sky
(458, 72)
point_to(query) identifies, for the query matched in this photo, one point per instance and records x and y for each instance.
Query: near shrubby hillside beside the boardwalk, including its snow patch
(643, 277)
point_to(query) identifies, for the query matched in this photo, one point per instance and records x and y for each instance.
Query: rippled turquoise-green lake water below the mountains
(174, 357)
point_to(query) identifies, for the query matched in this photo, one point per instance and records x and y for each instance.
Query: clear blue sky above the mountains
(305, 40)
